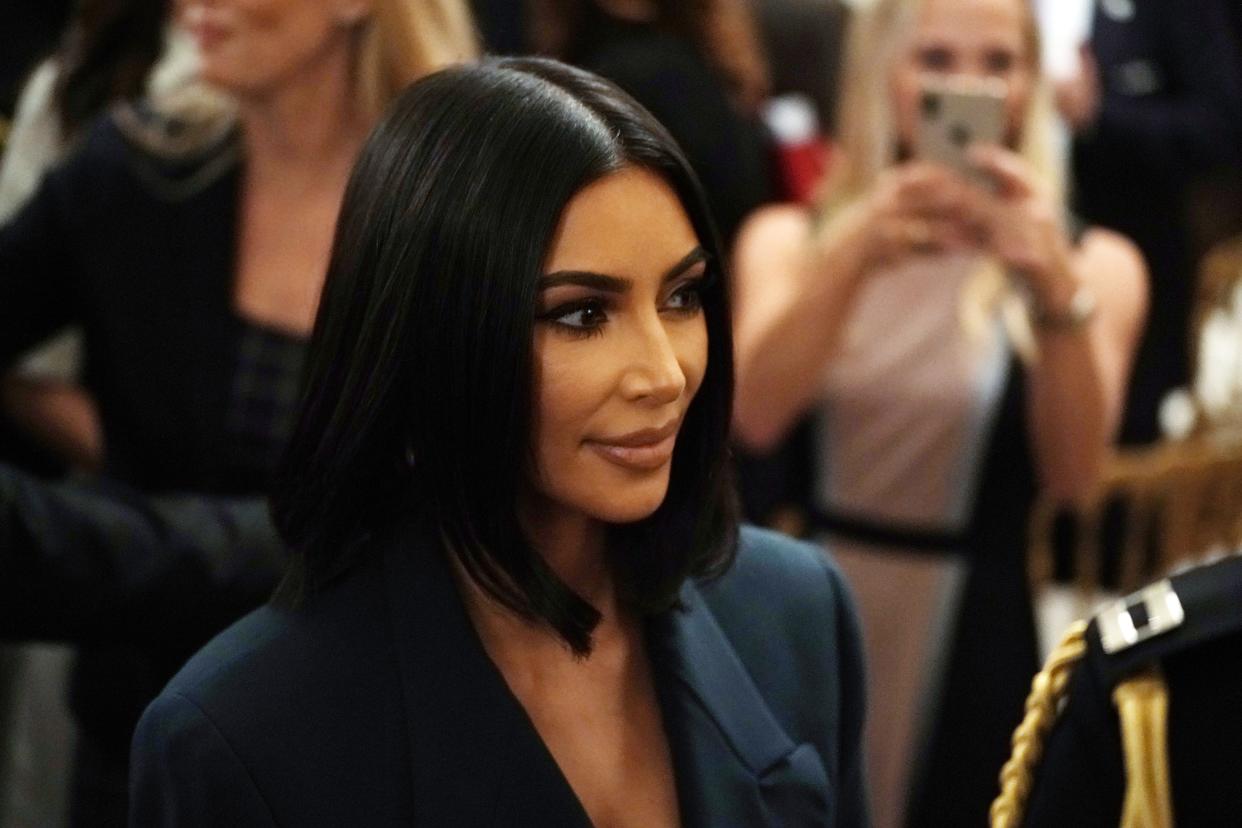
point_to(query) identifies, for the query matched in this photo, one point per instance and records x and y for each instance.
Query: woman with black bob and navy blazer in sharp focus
(520, 595)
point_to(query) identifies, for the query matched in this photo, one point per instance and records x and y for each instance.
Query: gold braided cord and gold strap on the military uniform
(1142, 706)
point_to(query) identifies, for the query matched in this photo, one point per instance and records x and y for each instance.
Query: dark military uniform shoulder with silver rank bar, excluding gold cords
(1190, 629)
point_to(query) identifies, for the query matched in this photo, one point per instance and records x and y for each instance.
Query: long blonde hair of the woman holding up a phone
(869, 146)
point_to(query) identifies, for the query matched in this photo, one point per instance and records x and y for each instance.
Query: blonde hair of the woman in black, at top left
(404, 40)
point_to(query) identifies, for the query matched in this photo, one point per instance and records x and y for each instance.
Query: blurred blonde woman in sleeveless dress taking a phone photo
(959, 347)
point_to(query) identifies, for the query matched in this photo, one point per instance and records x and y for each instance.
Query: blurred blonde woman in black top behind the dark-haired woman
(194, 263)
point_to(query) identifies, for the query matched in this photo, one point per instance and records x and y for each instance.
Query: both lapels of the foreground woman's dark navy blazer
(480, 762)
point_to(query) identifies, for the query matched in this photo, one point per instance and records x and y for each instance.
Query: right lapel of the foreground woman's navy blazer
(735, 764)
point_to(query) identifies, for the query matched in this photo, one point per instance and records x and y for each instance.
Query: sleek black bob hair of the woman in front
(419, 382)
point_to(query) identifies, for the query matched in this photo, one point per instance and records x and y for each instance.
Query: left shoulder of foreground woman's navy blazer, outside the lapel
(280, 701)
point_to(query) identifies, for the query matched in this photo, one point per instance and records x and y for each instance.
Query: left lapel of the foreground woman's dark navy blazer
(476, 758)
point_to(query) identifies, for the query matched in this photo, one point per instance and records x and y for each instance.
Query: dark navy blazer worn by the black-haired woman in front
(377, 706)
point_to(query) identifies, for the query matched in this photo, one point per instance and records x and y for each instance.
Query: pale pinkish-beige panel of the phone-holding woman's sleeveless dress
(906, 410)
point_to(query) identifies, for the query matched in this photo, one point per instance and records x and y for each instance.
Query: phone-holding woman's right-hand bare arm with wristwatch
(1080, 376)
